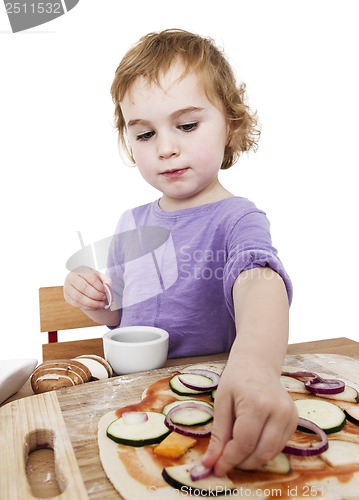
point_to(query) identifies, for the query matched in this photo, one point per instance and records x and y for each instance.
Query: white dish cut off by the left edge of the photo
(13, 375)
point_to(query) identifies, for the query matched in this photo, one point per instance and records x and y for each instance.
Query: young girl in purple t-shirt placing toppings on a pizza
(198, 262)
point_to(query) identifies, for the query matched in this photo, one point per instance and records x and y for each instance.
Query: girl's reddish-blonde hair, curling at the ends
(152, 57)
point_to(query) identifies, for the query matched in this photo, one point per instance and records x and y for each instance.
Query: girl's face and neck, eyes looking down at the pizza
(177, 137)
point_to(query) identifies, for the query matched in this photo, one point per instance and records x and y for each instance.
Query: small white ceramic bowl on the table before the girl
(132, 349)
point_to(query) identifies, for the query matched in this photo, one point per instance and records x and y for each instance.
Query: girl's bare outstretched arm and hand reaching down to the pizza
(254, 415)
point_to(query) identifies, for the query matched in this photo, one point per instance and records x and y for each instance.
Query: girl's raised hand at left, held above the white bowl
(84, 288)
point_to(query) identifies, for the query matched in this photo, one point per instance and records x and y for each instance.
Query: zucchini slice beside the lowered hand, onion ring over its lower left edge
(327, 415)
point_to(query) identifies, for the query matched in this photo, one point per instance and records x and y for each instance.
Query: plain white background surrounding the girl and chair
(61, 171)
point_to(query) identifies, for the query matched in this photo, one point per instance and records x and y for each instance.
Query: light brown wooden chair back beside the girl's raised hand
(55, 315)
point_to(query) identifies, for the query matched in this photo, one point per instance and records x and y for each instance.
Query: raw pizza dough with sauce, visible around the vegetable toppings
(136, 472)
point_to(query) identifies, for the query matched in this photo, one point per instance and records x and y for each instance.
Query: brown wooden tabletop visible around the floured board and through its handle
(40, 465)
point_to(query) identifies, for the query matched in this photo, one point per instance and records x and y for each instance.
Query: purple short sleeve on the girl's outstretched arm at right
(250, 246)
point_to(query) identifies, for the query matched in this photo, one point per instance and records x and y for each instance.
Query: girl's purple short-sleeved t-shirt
(175, 270)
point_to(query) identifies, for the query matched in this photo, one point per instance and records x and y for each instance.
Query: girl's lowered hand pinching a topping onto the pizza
(254, 418)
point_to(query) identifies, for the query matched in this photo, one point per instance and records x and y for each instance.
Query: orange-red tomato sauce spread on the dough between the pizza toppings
(309, 477)
